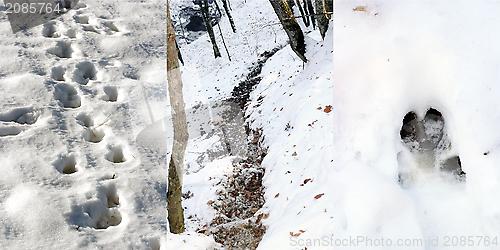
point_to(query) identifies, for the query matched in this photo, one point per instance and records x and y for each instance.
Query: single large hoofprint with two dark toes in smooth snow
(427, 140)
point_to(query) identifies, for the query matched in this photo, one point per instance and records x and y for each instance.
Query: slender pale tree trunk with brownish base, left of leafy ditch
(176, 165)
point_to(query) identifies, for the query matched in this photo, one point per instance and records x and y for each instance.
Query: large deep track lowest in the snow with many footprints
(103, 211)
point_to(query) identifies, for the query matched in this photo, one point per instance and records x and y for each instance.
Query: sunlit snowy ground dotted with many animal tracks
(74, 92)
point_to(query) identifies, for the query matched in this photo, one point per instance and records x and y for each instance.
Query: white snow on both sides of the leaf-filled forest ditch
(292, 104)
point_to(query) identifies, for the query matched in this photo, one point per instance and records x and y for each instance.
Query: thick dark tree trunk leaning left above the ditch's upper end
(291, 27)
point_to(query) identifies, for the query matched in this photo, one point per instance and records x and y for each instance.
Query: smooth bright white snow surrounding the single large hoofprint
(397, 57)
